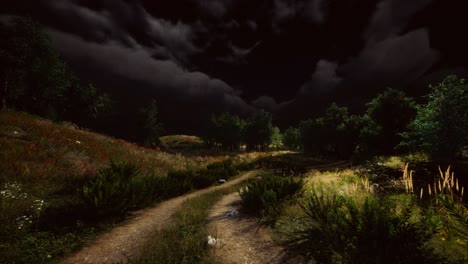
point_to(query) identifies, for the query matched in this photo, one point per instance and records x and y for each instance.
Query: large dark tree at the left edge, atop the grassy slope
(33, 74)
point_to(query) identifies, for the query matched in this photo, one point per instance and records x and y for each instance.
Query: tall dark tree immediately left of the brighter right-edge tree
(387, 116)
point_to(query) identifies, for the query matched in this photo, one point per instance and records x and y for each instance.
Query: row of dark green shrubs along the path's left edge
(120, 188)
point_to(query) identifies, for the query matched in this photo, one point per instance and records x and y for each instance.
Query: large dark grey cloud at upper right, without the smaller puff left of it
(388, 57)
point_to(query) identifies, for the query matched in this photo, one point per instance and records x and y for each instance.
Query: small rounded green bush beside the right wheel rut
(267, 195)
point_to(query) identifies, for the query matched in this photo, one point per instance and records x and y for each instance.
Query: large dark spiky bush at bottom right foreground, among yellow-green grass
(339, 229)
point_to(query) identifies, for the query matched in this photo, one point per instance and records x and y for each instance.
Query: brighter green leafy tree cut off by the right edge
(441, 126)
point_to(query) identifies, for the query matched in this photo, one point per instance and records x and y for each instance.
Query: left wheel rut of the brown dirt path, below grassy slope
(123, 242)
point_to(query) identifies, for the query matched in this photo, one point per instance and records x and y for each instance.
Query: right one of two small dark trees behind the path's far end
(259, 131)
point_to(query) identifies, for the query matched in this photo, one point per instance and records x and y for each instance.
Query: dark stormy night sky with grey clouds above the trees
(290, 57)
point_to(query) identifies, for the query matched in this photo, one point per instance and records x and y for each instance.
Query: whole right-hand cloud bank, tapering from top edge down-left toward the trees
(388, 57)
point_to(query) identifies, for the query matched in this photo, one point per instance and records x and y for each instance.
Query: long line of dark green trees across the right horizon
(392, 124)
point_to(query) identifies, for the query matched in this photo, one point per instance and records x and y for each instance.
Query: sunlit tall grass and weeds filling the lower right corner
(363, 226)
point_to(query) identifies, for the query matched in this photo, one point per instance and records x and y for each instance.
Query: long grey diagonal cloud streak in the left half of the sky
(164, 76)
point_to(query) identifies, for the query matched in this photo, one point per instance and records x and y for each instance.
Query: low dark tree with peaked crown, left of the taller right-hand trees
(333, 134)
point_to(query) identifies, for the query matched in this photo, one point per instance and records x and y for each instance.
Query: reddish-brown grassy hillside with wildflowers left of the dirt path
(57, 183)
